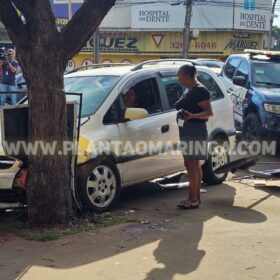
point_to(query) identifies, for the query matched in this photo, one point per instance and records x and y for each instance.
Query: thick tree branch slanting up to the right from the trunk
(83, 24)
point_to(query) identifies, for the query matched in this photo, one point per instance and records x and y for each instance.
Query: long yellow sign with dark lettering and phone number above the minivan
(134, 47)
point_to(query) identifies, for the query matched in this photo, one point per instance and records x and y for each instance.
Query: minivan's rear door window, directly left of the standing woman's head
(173, 90)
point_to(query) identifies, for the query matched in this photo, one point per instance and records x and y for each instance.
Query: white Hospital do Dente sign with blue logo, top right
(253, 15)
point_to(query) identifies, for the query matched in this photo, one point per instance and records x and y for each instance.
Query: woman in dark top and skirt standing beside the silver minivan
(194, 109)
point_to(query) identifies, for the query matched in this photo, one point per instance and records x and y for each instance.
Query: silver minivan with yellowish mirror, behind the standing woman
(106, 119)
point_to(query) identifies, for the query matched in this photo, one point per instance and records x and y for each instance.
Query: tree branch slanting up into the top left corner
(13, 23)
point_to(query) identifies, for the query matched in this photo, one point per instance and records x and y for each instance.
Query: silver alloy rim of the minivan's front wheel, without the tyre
(101, 186)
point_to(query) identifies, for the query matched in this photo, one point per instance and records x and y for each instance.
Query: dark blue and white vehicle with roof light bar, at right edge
(252, 81)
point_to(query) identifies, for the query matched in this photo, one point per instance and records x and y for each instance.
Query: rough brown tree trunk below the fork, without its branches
(48, 184)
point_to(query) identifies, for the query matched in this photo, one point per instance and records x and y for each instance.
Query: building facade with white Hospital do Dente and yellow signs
(137, 30)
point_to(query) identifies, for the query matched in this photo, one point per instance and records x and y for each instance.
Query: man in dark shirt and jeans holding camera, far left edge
(9, 68)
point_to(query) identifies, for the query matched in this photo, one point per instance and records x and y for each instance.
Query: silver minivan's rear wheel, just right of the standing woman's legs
(218, 157)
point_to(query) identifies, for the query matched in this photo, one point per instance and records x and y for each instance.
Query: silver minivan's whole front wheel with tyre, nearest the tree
(98, 185)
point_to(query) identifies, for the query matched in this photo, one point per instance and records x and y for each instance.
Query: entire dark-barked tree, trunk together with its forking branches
(43, 53)
